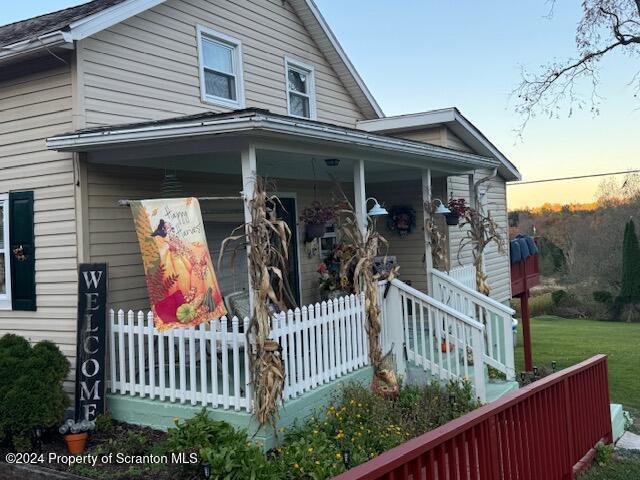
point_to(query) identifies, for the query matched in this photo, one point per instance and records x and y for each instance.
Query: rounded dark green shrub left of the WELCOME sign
(31, 393)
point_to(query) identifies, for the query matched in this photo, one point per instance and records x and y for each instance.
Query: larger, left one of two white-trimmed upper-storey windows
(220, 68)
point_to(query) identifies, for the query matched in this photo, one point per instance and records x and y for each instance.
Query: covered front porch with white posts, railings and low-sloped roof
(216, 158)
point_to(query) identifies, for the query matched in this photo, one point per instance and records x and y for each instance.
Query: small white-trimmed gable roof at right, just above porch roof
(453, 120)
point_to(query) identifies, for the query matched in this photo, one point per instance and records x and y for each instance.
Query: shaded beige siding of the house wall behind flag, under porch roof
(112, 234)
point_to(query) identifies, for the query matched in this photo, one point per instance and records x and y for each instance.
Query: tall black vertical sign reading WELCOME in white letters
(91, 340)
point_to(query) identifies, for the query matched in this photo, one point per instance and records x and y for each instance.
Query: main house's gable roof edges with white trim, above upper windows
(65, 26)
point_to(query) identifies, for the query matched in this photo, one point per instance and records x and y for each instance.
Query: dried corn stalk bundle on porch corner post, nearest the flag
(268, 240)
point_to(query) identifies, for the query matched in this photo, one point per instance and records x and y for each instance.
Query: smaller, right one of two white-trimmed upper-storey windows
(301, 89)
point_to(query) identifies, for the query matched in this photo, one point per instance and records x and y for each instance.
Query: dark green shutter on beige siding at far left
(23, 278)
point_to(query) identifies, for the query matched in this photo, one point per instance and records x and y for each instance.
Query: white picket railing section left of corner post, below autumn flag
(203, 365)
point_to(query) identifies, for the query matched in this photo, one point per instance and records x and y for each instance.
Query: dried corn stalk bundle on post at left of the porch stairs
(366, 243)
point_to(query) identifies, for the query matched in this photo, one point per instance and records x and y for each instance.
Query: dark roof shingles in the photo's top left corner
(32, 28)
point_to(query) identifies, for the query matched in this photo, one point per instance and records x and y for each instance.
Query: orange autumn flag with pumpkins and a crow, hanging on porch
(182, 285)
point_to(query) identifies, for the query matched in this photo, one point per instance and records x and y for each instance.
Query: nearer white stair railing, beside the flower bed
(441, 340)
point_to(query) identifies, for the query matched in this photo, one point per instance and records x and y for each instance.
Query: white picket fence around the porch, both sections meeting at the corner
(207, 365)
